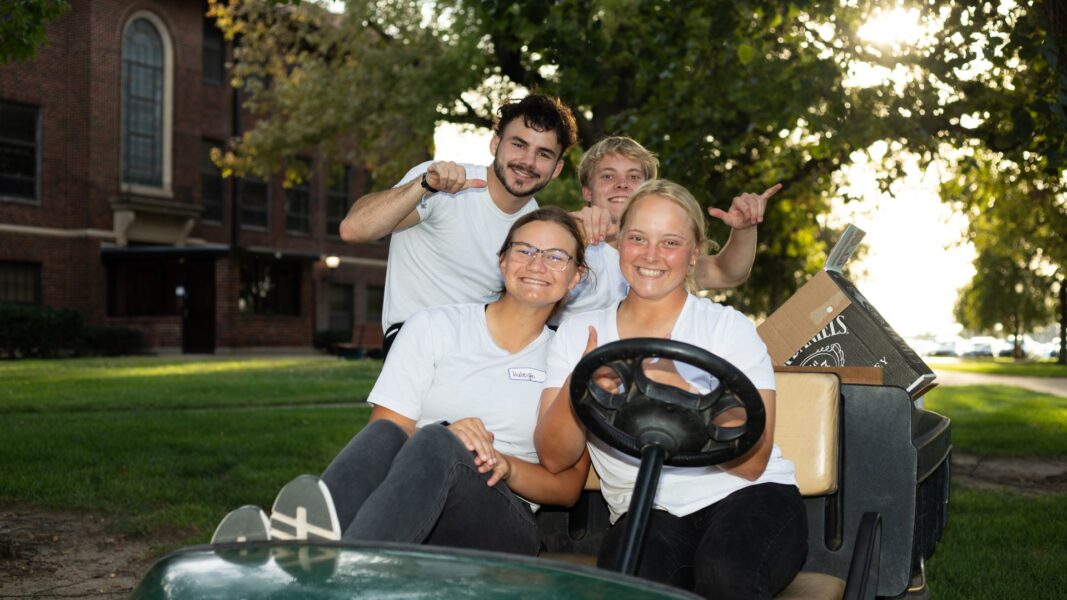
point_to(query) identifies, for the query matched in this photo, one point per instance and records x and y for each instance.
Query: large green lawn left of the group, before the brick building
(169, 446)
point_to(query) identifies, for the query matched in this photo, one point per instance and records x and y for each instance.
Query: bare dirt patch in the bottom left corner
(58, 555)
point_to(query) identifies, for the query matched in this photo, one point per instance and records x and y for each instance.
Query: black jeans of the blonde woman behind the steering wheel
(750, 545)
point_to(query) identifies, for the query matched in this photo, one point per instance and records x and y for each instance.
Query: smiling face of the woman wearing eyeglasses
(531, 280)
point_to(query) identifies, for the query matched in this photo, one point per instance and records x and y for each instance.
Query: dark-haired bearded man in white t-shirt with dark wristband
(449, 220)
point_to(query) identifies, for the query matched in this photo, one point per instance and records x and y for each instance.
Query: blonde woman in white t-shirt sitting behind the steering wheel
(738, 530)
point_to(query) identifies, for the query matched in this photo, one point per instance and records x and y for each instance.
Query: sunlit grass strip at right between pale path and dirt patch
(1004, 421)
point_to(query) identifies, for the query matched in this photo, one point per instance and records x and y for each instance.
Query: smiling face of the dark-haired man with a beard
(525, 160)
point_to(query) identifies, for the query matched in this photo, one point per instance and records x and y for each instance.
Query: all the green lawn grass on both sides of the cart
(169, 446)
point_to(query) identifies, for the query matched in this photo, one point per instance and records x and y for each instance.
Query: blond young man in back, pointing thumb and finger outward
(610, 172)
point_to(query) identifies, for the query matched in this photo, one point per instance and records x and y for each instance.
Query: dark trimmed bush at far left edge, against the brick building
(28, 331)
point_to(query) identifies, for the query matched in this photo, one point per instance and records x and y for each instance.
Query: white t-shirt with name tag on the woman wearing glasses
(445, 367)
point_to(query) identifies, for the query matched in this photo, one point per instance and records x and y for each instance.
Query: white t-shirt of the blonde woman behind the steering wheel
(682, 491)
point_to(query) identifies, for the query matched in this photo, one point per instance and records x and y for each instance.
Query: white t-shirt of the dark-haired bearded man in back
(450, 257)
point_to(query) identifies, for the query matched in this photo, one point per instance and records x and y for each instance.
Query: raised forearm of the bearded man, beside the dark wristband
(379, 214)
